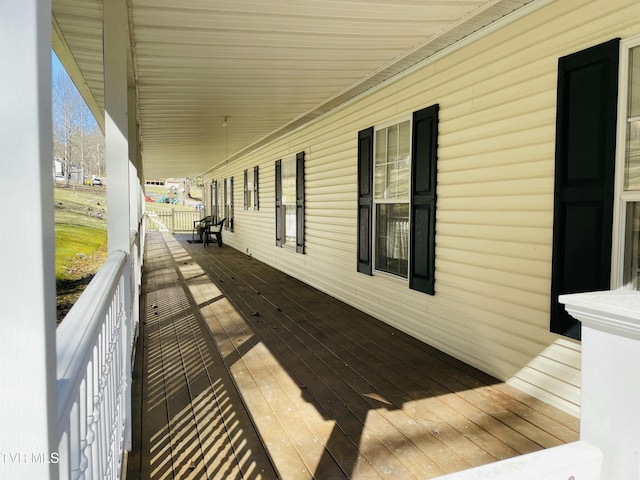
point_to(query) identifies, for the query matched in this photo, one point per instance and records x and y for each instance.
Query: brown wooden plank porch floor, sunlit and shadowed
(245, 372)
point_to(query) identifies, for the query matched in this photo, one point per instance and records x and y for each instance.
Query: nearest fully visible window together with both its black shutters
(397, 183)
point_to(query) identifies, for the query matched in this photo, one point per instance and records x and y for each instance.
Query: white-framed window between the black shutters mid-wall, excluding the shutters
(392, 177)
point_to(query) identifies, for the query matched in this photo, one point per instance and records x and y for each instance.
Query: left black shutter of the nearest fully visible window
(365, 199)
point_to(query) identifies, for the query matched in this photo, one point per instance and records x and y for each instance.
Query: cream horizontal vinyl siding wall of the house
(497, 97)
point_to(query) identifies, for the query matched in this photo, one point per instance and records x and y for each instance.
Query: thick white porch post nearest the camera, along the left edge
(28, 410)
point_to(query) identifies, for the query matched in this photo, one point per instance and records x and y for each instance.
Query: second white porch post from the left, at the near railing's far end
(119, 228)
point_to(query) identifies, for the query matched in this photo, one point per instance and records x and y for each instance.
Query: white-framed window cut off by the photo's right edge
(626, 251)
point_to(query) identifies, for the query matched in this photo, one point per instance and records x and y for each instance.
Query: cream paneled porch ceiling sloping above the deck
(267, 65)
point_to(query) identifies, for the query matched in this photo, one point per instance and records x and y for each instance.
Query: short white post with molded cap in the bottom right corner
(610, 405)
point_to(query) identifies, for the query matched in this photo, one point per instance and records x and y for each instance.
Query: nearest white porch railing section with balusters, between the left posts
(94, 348)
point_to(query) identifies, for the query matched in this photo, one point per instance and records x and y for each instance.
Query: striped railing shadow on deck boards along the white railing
(193, 423)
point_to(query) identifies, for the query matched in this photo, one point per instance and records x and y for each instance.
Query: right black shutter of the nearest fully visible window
(424, 159)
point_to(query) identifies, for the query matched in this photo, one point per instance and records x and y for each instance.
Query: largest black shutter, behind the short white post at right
(584, 177)
